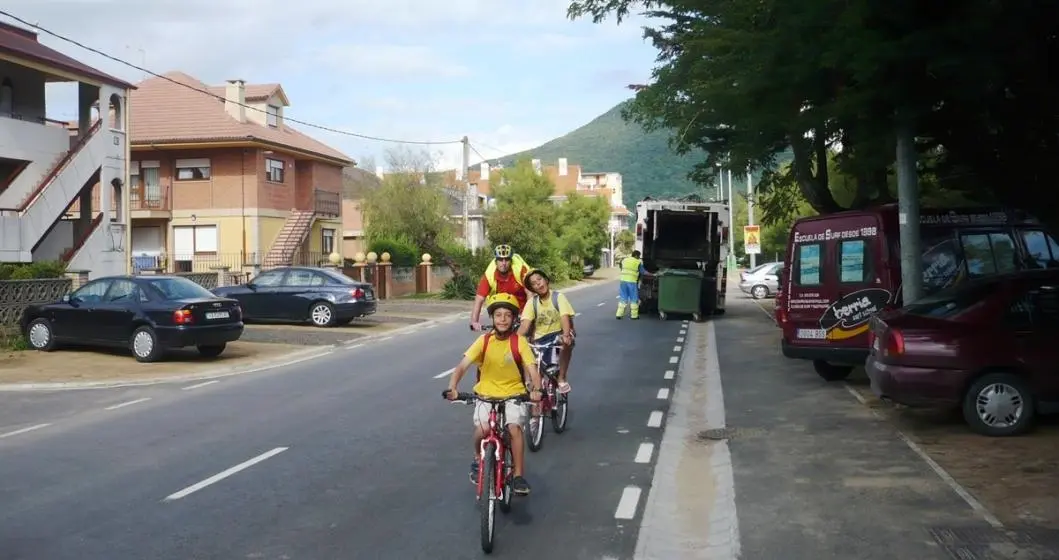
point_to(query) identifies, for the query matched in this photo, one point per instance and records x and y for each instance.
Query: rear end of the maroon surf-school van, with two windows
(836, 282)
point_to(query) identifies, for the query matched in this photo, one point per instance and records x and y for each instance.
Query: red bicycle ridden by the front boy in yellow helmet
(495, 464)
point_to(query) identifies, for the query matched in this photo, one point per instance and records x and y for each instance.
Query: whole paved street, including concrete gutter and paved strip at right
(355, 456)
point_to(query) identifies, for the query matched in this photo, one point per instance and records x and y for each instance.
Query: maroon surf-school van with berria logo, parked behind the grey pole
(842, 269)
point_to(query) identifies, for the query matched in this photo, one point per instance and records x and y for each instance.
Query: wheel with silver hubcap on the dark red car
(1000, 405)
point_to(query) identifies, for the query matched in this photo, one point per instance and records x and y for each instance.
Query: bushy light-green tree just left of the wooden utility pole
(409, 205)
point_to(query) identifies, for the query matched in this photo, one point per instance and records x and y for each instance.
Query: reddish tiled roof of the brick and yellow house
(164, 113)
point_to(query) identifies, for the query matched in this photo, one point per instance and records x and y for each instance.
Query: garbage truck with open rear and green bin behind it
(685, 245)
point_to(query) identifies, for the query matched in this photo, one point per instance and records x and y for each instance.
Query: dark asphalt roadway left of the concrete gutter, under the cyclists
(357, 457)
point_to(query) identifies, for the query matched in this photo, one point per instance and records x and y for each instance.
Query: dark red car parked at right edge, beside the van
(990, 347)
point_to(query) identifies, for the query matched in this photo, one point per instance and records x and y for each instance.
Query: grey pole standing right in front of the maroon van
(908, 212)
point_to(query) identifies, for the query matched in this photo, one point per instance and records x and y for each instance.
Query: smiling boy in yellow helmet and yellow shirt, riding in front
(501, 370)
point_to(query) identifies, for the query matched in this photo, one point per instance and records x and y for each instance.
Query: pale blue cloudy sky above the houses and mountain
(510, 75)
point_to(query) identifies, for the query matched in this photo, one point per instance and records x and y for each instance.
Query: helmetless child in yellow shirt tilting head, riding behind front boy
(552, 318)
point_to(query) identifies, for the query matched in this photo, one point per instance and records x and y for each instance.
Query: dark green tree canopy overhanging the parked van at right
(823, 80)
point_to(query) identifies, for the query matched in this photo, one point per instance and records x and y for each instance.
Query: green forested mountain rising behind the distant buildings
(608, 143)
